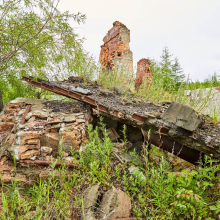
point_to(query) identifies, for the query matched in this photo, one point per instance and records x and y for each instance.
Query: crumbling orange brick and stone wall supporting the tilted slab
(47, 124)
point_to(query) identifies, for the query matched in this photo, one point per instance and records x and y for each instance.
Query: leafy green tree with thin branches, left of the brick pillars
(36, 39)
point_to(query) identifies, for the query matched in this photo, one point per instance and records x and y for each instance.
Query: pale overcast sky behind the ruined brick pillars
(189, 28)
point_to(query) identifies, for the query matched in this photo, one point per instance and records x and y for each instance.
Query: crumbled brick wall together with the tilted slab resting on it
(31, 130)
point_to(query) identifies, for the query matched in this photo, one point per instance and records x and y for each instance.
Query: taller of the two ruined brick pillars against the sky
(115, 52)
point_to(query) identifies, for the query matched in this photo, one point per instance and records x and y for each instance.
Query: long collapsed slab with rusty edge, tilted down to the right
(177, 137)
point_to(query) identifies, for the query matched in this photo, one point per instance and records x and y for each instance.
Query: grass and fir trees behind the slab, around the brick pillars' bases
(168, 84)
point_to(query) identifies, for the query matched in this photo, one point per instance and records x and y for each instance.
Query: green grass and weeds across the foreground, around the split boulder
(163, 193)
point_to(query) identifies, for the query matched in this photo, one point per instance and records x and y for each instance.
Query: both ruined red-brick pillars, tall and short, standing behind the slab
(116, 55)
